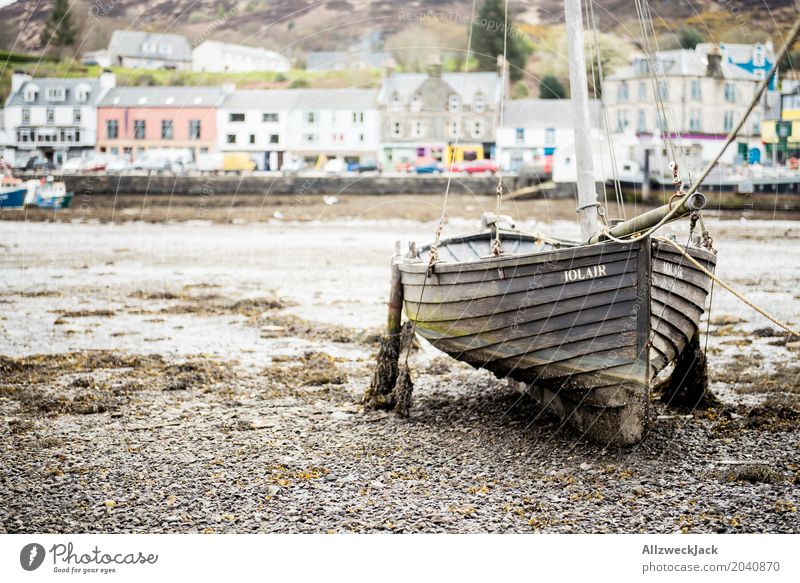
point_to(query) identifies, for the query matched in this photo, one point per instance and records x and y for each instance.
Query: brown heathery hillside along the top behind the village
(295, 26)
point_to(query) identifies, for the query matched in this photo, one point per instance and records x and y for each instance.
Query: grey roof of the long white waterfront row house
(304, 99)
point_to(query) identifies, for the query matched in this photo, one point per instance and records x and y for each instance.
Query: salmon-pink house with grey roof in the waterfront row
(132, 120)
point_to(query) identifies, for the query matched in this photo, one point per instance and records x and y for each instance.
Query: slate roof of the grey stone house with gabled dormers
(467, 85)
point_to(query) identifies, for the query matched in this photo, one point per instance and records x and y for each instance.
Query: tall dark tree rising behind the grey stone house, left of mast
(487, 40)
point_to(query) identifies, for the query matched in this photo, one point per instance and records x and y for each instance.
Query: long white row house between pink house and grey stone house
(313, 124)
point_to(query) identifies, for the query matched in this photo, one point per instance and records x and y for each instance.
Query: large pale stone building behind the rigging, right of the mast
(703, 95)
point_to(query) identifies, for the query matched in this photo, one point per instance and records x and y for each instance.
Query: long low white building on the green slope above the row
(217, 57)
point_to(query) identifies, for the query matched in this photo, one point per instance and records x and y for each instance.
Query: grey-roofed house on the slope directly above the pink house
(147, 50)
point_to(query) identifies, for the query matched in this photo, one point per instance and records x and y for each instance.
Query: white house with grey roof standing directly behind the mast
(534, 129)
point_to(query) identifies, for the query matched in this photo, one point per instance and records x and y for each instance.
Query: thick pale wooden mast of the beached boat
(579, 91)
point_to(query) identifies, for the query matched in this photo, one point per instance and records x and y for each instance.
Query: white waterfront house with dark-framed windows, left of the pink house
(55, 118)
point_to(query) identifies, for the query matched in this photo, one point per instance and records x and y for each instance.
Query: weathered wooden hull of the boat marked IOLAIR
(589, 326)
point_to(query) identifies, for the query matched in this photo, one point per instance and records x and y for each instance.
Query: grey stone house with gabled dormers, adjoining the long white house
(444, 116)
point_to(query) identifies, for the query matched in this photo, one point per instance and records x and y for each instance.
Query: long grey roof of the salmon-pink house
(163, 97)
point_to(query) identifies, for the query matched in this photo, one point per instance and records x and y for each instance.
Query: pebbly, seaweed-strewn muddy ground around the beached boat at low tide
(165, 372)
